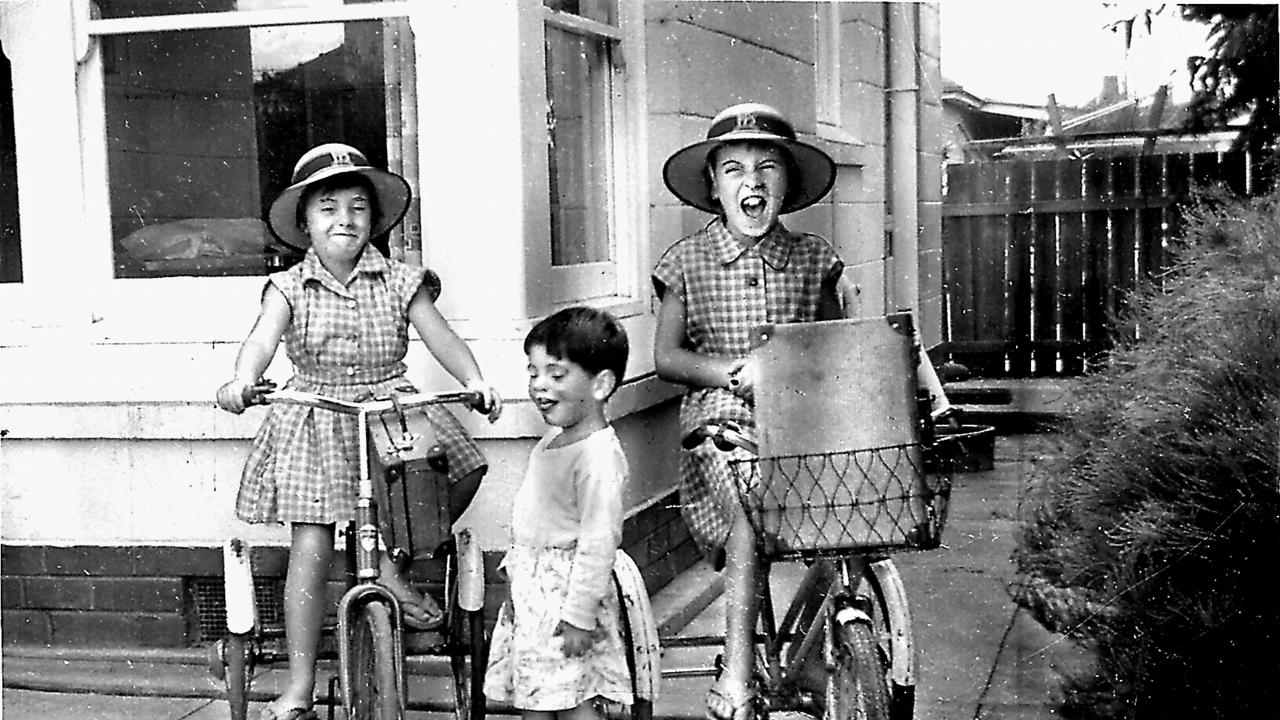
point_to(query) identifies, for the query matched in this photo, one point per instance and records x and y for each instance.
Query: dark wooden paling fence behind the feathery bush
(1040, 256)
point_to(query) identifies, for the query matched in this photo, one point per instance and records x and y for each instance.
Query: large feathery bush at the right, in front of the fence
(1156, 539)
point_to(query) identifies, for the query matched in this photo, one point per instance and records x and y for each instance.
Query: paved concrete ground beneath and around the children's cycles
(981, 657)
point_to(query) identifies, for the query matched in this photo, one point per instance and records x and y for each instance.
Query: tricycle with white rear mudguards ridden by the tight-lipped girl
(372, 641)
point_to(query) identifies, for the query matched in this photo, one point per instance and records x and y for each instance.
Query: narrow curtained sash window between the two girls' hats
(588, 148)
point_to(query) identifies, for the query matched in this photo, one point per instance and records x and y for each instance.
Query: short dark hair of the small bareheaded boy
(586, 336)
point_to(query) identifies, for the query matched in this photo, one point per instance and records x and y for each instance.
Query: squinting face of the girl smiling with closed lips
(339, 224)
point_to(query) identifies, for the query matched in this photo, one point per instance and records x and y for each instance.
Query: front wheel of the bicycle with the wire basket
(858, 689)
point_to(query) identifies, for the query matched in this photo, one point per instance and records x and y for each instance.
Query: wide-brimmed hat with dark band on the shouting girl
(813, 171)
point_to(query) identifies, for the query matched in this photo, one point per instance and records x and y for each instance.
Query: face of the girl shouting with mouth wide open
(749, 180)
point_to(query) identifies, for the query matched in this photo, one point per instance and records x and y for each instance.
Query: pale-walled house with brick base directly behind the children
(140, 142)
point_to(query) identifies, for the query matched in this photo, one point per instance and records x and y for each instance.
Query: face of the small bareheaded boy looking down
(565, 394)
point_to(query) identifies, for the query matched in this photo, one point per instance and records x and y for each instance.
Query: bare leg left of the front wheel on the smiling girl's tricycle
(305, 605)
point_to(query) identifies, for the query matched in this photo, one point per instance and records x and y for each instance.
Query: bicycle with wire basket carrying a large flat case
(844, 646)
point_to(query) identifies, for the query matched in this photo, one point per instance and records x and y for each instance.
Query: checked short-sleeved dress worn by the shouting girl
(729, 291)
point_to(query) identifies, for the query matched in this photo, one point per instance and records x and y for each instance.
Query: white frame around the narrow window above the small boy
(616, 282)
